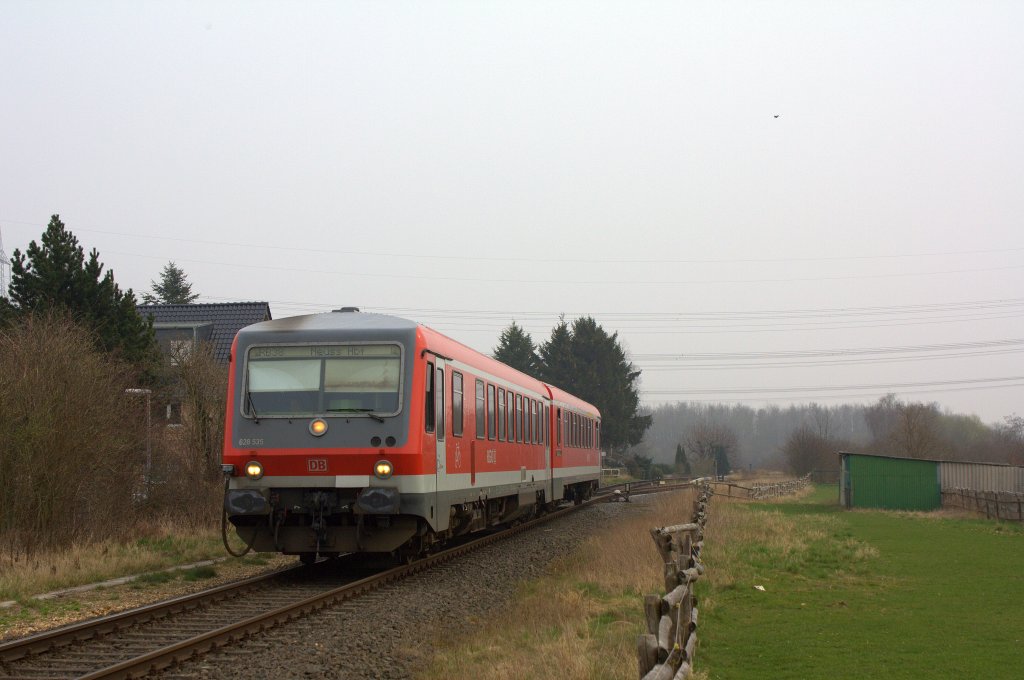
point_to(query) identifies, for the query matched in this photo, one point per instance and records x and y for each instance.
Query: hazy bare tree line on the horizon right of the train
(804, 439)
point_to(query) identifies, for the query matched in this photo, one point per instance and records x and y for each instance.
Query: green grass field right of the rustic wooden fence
(860, 594)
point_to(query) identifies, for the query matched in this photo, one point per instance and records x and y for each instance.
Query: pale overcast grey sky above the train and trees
(723, 184)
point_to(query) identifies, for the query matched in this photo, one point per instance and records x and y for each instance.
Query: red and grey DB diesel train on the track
(358, 433)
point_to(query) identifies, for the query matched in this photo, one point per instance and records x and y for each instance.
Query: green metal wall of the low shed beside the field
(890, 484)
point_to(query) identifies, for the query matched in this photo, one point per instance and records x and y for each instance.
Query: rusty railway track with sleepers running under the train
(155, 637)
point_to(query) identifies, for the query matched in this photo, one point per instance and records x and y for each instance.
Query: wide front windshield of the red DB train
(313, 380)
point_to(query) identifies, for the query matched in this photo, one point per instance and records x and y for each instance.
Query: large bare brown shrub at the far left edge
(72, 442)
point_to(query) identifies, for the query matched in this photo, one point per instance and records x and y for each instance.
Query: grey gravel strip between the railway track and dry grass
(392, 632)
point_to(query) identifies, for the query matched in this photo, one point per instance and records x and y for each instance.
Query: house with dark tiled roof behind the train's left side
(182, 327)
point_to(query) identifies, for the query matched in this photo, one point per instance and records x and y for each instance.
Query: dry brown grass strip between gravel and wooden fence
(582, 621)
